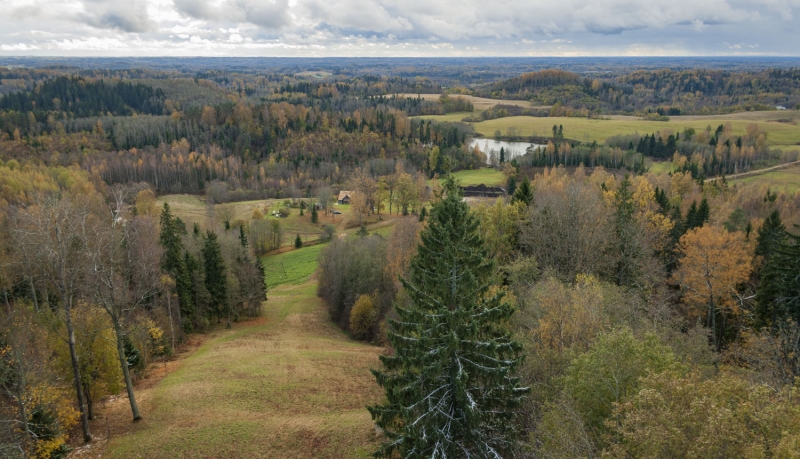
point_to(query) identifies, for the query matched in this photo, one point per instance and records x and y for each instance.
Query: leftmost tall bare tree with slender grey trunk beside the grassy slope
(55, 230)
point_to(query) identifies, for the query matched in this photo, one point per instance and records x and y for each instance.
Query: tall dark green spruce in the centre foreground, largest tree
(450, 385)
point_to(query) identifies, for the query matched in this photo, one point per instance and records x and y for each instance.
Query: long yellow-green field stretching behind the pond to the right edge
(784, 134)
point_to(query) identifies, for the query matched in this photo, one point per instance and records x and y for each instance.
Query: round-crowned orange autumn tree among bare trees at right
(714, 262)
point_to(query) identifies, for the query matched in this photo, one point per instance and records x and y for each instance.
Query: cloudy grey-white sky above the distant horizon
(328, 28)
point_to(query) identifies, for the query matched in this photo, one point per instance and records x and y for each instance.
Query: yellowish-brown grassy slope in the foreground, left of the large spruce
(291, 386)
